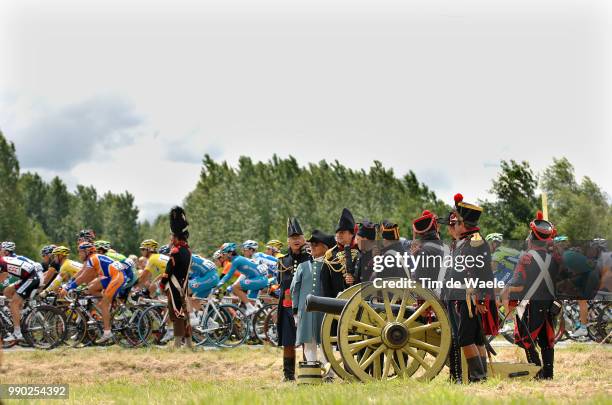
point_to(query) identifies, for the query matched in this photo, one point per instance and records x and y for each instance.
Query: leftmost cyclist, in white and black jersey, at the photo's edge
(28, 274)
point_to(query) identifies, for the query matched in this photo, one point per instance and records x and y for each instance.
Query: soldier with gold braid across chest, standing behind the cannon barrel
(339, 261)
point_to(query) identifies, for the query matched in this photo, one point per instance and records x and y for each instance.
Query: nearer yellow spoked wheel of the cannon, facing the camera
(392, 345)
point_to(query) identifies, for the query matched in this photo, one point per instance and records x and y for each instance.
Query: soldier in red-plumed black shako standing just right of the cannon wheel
(472, 306)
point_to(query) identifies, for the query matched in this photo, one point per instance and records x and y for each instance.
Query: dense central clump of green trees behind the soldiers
(253, 200)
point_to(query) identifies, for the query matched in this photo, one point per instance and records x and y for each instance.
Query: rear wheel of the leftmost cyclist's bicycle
(46, 327)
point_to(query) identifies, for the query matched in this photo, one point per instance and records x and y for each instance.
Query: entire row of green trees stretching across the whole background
(254, 199)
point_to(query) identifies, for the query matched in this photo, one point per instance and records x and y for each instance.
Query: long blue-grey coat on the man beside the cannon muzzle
(307, 281)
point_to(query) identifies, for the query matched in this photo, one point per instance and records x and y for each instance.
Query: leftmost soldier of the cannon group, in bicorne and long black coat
(287, 265)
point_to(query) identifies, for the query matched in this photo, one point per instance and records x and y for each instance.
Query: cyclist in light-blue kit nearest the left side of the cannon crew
(252, 280)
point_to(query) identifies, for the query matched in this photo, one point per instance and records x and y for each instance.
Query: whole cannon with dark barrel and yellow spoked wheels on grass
(368, 333)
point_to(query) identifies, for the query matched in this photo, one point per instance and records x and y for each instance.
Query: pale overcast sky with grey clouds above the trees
(130, 95)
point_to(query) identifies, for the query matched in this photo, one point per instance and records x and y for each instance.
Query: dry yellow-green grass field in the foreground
(246, 375)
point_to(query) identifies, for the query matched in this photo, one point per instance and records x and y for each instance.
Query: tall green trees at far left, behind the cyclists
(34, 213)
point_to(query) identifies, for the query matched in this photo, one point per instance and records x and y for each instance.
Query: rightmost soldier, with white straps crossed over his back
(533, 285)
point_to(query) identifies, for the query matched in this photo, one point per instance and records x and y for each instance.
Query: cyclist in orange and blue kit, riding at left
(111, 278)
